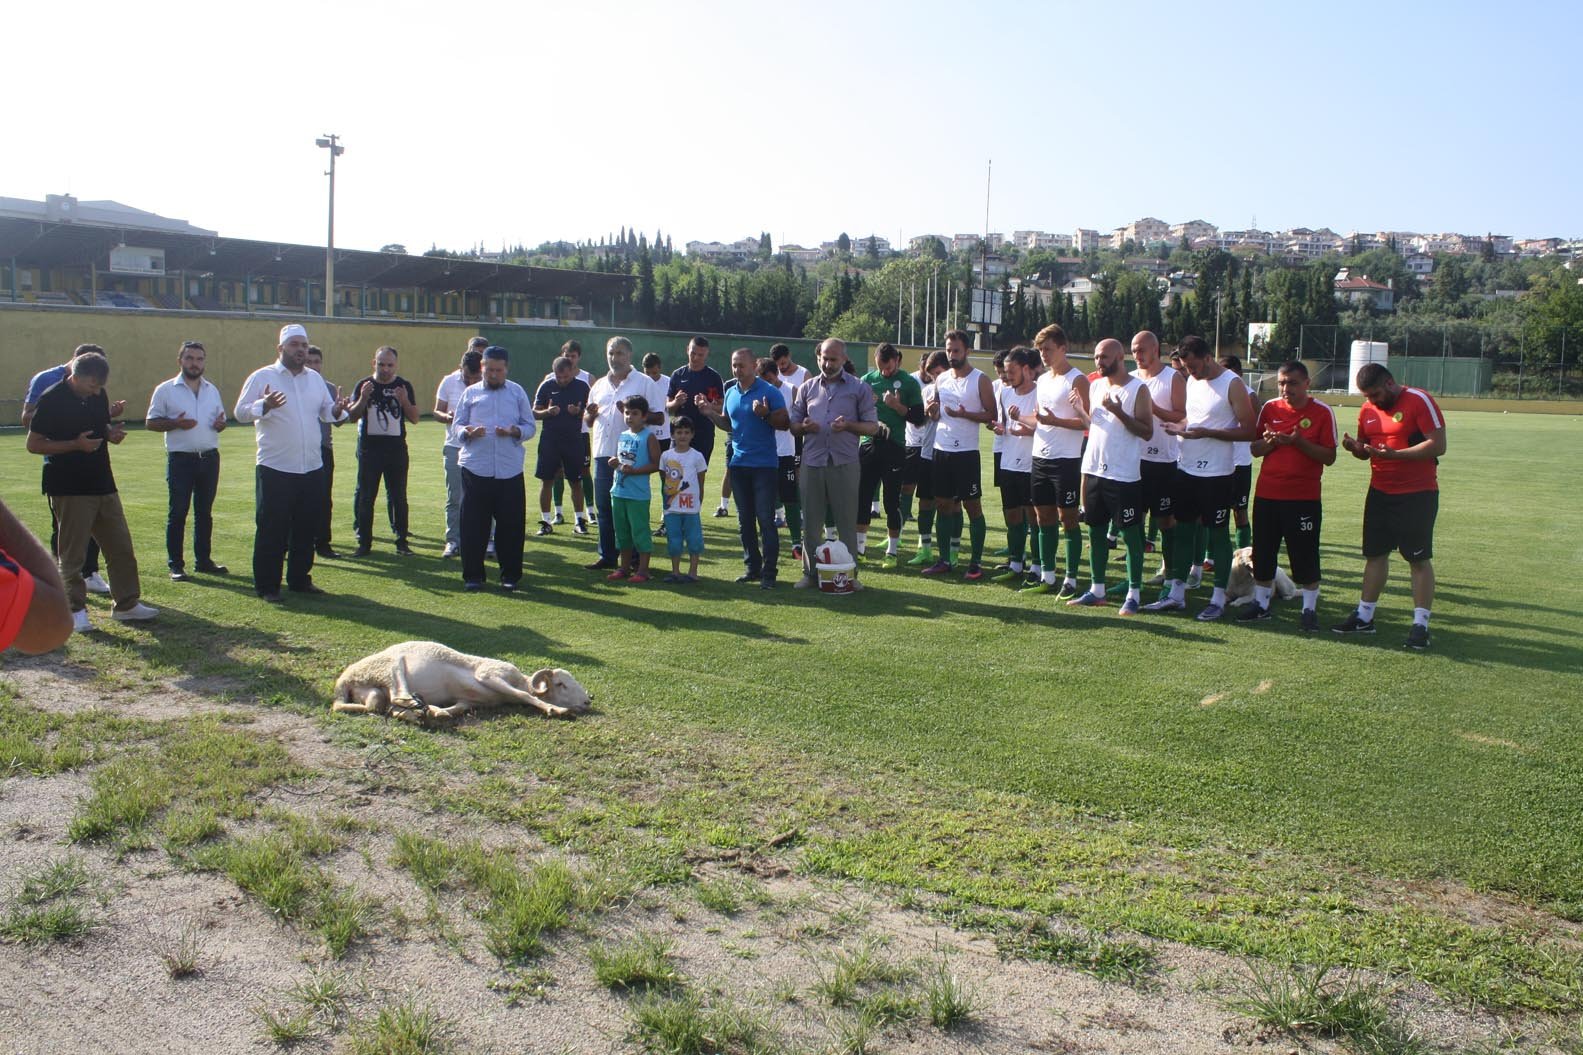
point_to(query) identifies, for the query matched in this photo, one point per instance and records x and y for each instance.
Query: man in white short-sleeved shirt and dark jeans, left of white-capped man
(192, 416)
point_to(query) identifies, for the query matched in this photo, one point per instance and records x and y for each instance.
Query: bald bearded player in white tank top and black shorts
(1122, 422)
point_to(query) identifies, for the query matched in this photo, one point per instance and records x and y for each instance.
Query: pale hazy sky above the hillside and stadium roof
(501, 124)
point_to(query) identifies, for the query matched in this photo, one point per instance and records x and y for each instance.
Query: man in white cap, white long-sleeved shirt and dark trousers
(286, 403)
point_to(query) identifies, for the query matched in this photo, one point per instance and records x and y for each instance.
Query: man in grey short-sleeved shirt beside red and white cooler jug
(832, 413)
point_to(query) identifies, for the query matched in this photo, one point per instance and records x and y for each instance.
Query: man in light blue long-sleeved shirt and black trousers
(493, 419)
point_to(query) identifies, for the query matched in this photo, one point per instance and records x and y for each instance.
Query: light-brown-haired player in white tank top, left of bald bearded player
(1058, 462)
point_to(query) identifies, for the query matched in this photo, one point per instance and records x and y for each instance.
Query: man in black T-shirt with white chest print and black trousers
(385, 405)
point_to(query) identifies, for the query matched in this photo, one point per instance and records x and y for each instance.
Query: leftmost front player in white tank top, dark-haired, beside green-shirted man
(963, 403)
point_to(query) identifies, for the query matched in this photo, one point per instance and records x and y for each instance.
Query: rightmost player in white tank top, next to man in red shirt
(1220, 414)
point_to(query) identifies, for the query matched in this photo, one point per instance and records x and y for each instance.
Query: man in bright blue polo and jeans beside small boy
(753, 411)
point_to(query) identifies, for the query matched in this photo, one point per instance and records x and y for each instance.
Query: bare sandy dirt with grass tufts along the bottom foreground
(112, 992)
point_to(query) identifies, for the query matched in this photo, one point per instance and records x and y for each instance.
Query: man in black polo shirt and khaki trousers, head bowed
(70, 428)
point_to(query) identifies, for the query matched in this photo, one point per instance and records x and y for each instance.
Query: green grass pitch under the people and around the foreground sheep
(985, 755)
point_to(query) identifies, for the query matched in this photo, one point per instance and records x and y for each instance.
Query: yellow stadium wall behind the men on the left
(143, 349)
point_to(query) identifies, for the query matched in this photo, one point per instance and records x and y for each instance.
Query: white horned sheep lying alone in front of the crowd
(425, 682)
